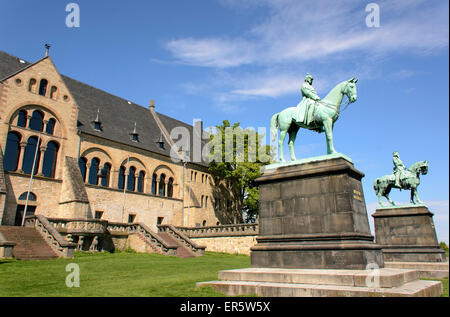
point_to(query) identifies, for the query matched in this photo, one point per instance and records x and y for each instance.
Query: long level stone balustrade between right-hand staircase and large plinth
(247, 229)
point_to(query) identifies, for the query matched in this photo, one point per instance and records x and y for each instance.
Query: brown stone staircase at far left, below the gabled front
(29, 244)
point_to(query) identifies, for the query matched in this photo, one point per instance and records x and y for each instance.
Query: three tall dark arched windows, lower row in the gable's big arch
(20, 156)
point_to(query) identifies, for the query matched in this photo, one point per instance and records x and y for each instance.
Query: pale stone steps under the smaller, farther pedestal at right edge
(426, 269)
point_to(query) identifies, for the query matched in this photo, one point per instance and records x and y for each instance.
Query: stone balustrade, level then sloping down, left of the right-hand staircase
(158, 244)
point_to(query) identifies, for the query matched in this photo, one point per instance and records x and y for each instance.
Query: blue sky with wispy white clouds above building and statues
(244, 60)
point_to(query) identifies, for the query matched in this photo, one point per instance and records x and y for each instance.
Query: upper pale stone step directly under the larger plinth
(387, 278)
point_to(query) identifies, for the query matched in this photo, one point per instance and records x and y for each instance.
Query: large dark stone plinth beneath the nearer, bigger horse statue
(313, 215)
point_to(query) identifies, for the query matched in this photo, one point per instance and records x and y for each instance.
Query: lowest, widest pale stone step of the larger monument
(418, 288)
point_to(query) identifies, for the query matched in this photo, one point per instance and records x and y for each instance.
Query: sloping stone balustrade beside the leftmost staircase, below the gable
(53, 238)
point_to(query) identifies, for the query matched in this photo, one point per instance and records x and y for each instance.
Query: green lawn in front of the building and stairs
(123, 274)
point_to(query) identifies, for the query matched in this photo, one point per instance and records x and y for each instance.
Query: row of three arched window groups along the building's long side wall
(134, 180)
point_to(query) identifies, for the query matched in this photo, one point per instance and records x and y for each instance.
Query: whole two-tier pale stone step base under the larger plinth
(276, 282)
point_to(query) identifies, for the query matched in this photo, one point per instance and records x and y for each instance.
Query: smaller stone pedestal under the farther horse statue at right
(407, 234)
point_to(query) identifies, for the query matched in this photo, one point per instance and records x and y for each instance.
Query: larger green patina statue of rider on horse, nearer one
(312, 113)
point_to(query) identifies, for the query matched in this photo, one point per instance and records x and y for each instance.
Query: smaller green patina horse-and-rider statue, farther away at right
(401, 178)
